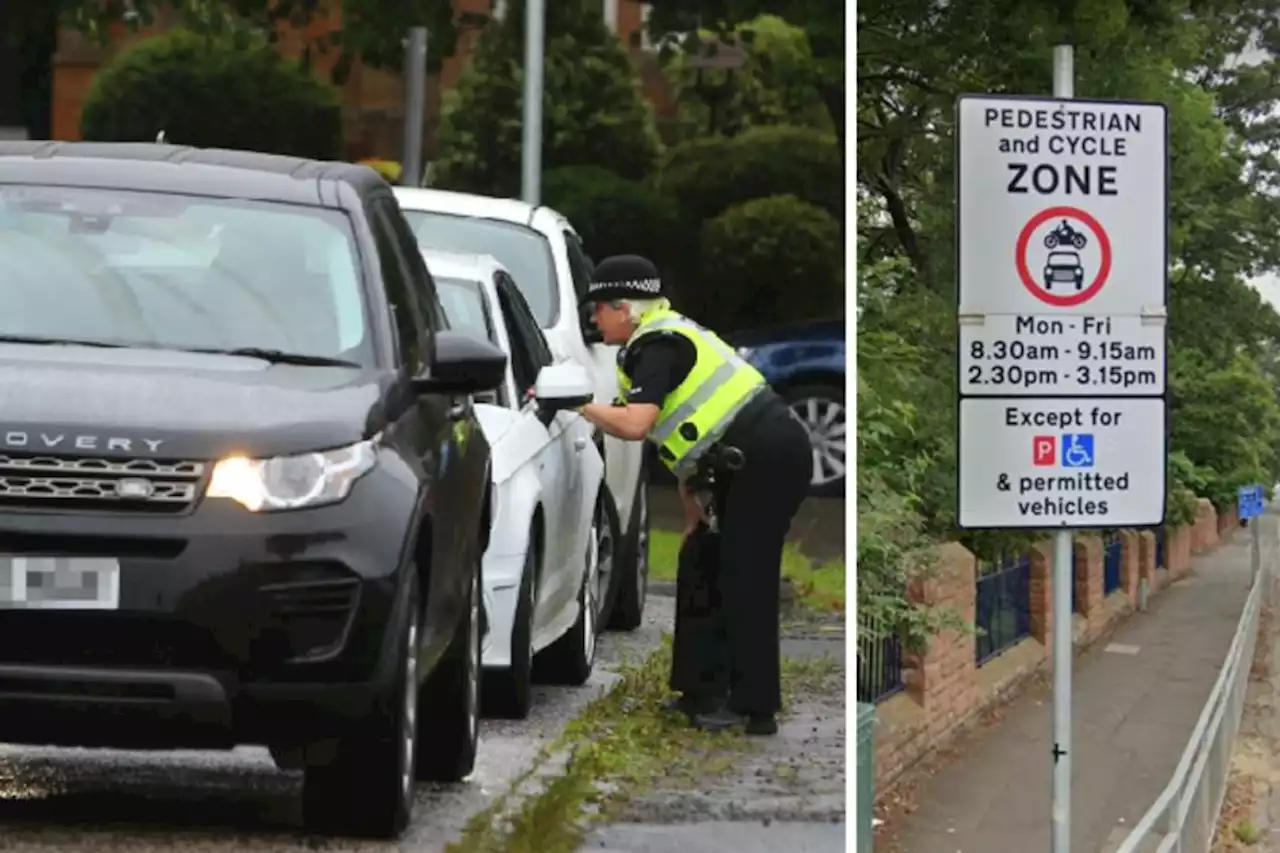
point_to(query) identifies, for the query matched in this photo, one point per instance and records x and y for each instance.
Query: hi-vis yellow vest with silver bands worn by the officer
(697, 414)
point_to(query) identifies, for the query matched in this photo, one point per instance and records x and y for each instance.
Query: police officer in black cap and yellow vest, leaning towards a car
(701, 404)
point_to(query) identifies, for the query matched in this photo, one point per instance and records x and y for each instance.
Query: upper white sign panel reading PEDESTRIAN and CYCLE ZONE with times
(1063, 247)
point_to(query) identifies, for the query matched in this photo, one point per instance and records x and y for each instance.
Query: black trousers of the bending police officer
(728, 583)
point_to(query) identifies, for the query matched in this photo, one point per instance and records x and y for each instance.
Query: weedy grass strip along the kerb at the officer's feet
(616, 749)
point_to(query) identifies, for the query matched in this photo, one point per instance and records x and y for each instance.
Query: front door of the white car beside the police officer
(554, 468)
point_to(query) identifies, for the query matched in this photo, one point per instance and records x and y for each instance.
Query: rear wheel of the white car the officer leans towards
(572, 659)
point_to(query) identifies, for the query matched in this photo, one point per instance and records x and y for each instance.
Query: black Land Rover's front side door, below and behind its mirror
(442, 434)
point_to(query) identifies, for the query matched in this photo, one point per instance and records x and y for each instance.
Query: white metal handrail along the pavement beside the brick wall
(1185, 816)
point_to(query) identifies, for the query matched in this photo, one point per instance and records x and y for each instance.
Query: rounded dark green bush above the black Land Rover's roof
(213, 93)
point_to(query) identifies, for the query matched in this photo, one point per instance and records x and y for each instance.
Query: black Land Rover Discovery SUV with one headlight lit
(243, 489)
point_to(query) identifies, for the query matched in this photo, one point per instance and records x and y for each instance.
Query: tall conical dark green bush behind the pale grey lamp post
(593, 110)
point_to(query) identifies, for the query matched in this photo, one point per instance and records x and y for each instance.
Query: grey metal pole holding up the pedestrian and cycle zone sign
(1064, 577)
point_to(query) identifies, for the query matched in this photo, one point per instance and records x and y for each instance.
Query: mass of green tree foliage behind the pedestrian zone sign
(915, 57)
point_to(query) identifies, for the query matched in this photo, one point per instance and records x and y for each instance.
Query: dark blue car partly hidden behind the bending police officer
(806, 364)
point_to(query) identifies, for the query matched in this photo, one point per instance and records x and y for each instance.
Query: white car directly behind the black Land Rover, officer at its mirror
(552, 530)
